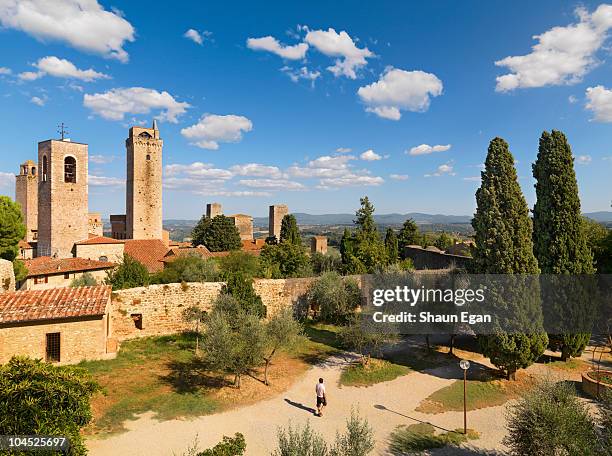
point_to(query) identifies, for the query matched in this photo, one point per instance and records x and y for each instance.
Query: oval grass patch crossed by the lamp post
(480, 394)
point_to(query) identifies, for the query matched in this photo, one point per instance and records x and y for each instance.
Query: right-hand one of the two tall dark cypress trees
(559, 236)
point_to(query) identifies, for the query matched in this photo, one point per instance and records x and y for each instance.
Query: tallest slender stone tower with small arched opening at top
(144, 183)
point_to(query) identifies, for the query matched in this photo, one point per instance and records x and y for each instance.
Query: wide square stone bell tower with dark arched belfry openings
(62, 197)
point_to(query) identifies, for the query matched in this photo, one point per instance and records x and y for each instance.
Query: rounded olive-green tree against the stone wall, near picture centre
(335, 298)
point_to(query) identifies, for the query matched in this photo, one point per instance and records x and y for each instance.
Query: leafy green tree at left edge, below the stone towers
(12, 230)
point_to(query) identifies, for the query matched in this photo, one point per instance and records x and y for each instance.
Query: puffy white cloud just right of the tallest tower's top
(212, 129)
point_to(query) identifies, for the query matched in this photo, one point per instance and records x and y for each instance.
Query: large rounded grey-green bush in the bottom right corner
(551, 420)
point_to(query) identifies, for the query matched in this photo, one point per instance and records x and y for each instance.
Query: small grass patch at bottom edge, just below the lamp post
(422, 437)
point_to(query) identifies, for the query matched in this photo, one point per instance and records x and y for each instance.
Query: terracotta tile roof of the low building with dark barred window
(53, 304)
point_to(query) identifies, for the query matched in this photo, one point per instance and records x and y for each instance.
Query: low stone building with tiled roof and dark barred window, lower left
(62, 326)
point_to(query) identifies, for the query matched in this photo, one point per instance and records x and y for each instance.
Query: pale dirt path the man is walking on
(259, 422)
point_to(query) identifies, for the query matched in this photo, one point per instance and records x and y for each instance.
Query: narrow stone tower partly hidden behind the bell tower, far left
(26, 194)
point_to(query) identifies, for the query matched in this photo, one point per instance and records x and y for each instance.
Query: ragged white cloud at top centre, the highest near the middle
(340, 45)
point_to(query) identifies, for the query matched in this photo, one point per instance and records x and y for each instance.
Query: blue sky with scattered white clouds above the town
(311, 105)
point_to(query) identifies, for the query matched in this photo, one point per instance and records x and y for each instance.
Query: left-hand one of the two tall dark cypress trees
(504, 245)
